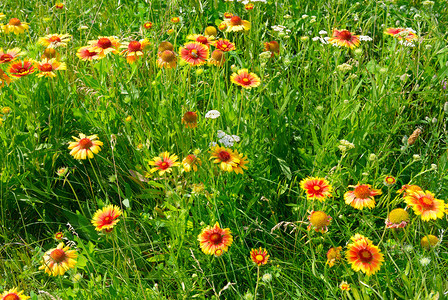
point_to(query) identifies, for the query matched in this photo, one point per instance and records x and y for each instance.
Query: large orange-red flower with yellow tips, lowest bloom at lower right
(364, 256)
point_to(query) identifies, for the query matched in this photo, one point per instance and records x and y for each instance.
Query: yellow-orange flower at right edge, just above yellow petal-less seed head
(425, 204)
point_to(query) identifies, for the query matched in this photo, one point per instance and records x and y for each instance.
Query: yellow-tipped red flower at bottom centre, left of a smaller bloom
(214, 240)
